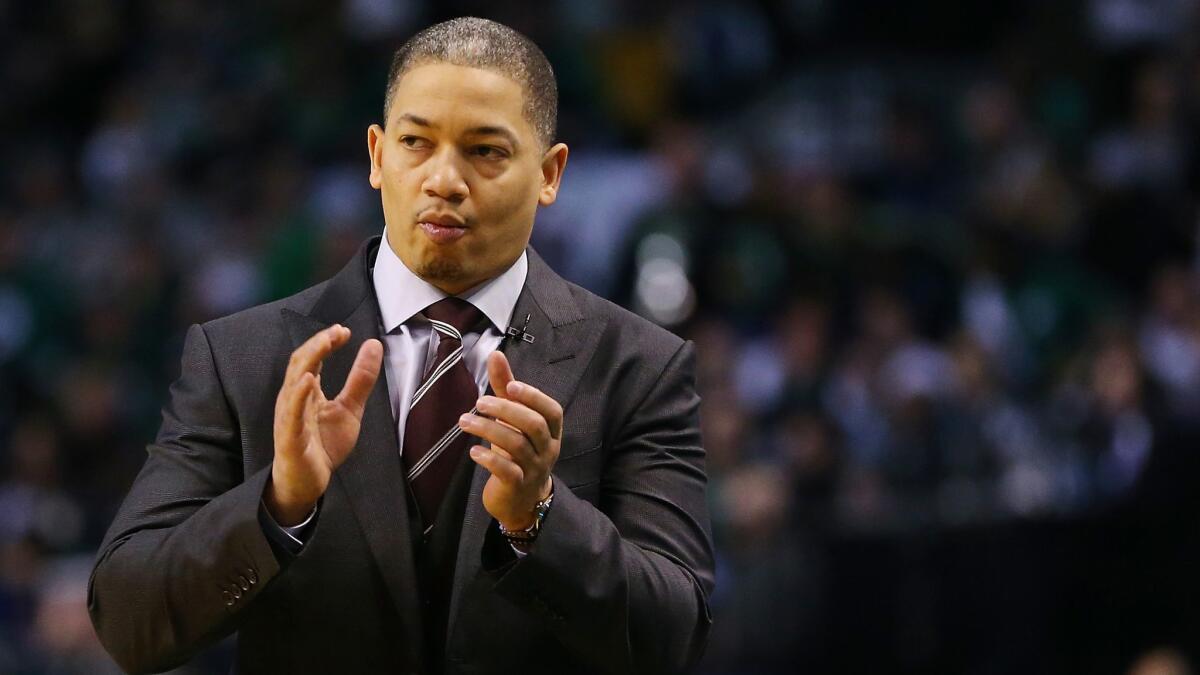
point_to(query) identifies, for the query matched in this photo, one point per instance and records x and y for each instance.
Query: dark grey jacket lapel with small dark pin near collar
(563, 343)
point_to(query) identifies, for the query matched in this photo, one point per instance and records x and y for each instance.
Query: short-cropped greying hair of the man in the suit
(484, 44)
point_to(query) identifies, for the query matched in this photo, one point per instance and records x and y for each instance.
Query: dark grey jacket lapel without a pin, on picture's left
(373, 477)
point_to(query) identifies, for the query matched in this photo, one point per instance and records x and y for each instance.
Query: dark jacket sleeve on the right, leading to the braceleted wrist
(627, 586)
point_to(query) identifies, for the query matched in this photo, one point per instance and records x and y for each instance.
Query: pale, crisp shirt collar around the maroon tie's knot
(403, 295)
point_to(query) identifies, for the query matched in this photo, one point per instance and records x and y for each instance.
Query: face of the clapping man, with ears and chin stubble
(461, 174)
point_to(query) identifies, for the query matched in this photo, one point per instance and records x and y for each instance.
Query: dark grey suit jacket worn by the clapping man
(619, 581)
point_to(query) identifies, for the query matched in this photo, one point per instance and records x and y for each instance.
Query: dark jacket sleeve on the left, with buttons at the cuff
(187, 553)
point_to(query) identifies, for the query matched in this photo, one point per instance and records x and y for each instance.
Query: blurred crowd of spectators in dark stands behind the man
(938, 259)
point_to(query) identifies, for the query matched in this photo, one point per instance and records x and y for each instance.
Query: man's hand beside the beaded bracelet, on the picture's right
(525, 428)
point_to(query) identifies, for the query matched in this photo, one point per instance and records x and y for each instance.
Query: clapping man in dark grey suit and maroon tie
(331, 517)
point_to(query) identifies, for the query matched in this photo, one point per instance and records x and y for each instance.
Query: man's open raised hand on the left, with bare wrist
(314, 435)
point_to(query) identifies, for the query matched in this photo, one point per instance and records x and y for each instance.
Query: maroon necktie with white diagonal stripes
(434, 443)
